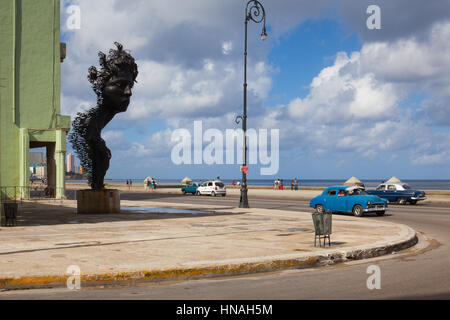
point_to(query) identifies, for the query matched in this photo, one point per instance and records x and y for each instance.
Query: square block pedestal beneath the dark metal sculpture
(98, 201)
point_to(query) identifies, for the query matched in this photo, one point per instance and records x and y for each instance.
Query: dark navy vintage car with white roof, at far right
(398, 192)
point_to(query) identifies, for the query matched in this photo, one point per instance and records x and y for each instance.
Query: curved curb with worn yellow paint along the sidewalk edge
(254, 265)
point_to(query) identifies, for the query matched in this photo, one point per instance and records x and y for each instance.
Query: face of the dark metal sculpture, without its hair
(117, 91)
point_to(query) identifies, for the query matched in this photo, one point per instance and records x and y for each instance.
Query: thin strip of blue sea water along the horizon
(416, 184)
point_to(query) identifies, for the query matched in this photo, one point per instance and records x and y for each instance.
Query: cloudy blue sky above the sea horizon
(347, 101)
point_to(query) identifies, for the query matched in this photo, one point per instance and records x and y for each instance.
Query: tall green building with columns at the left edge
(30, 68)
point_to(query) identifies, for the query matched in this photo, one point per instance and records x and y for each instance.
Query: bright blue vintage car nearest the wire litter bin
(348, 199)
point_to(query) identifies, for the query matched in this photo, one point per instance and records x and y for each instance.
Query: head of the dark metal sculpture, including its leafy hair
(114, 81)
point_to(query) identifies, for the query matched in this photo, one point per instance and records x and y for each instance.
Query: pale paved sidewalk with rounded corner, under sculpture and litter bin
(139, 245)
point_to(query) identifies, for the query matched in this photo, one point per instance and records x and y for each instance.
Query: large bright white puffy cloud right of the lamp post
(341, 93)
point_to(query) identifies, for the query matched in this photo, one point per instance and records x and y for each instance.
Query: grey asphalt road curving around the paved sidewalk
(421, 272)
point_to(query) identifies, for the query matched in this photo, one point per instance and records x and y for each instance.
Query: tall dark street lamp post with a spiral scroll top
(255, 12)
